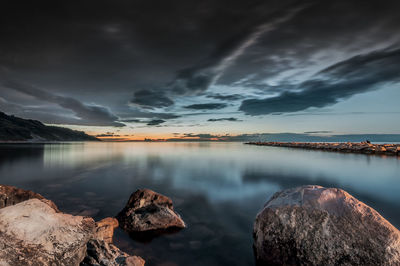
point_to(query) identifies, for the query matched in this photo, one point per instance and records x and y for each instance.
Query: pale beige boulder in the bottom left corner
(34, 233)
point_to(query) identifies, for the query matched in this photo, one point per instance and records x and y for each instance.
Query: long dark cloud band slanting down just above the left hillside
(91, 115)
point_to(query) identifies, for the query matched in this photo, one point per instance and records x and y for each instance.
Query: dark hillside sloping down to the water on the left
(18, 129)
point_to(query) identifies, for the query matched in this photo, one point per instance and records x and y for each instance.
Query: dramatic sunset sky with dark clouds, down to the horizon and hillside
(134, 69)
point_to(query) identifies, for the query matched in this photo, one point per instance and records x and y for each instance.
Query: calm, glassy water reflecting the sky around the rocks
(217, 188)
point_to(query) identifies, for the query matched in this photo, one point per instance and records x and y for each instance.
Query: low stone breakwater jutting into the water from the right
(349, 147)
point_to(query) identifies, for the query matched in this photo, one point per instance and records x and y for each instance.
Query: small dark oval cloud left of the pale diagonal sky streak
(151, 99)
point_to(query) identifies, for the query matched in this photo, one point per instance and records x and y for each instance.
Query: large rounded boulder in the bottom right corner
(313, 225)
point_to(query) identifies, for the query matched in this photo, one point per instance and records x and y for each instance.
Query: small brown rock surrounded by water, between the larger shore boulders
(148, 211)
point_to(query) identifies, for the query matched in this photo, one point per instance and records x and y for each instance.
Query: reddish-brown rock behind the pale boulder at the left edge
(10, 195)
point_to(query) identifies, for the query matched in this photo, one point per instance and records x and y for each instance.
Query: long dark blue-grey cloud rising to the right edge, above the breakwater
(353, 76)
